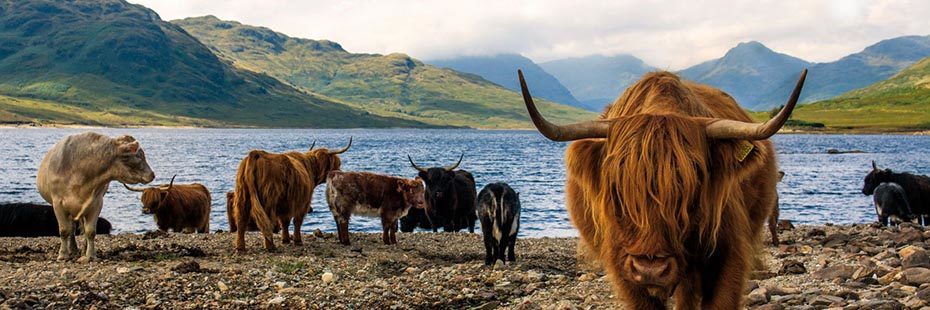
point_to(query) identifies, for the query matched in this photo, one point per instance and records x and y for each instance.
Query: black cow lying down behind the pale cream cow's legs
(35, 220)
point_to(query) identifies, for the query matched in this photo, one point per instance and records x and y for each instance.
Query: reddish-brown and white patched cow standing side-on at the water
(375, 195)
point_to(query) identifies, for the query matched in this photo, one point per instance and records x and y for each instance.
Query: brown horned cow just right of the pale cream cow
(181, 208)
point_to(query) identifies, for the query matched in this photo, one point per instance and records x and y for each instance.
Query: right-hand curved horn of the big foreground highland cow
(730, 129)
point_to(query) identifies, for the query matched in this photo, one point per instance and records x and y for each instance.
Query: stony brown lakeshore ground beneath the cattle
(843, 267)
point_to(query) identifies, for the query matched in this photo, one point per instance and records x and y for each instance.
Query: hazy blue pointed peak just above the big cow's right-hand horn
(748, 72)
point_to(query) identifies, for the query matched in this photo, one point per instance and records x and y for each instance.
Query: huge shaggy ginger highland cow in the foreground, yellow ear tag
(669, 189)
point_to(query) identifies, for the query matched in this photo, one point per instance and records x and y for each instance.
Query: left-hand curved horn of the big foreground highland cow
(583, 130)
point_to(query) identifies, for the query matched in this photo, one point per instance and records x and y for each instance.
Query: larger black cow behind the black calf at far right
(917, 188)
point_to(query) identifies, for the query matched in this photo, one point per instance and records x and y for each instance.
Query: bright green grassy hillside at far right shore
(900, 102)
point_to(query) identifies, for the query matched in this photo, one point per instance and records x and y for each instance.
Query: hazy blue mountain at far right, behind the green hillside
(874, 64)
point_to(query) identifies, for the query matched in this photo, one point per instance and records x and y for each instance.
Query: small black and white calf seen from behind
(499, 212)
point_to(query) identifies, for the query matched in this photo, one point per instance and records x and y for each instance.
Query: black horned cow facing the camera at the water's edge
(451, 195)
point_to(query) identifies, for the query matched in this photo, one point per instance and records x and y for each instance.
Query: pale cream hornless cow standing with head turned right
(74, 176)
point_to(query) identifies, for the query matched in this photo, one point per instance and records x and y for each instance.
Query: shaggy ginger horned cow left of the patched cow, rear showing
(277, 189)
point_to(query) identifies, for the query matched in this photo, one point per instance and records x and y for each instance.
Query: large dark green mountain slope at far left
(109, 62)
